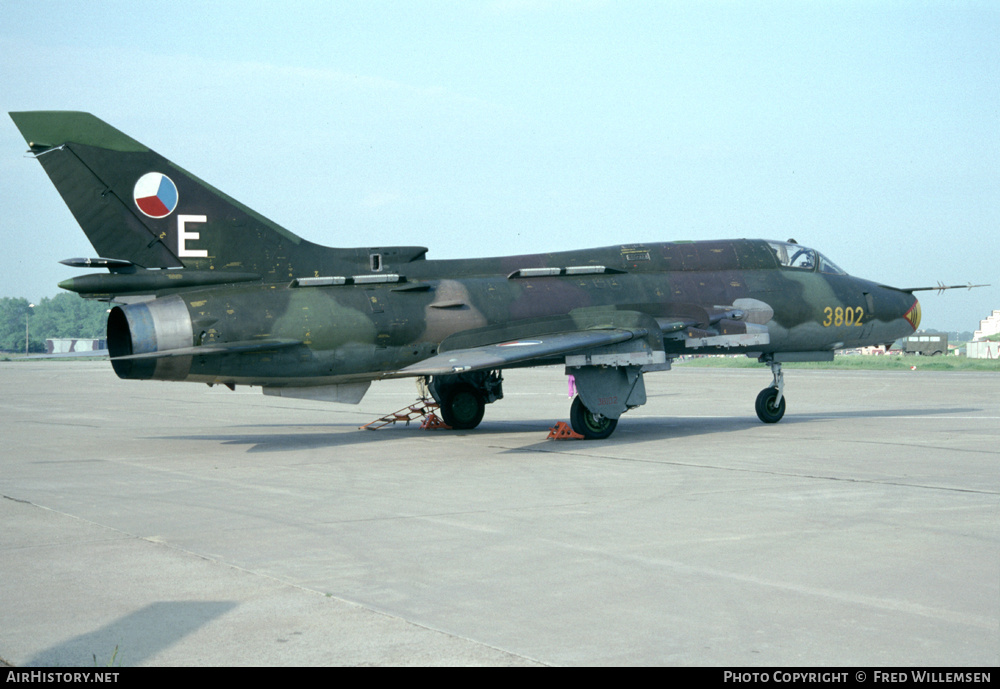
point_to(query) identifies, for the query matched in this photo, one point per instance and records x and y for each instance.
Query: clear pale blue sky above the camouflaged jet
(868, 130)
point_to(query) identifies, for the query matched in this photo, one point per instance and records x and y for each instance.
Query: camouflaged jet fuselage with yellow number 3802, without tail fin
(360, 330)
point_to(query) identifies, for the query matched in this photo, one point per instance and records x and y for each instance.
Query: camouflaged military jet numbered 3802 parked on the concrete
(208, 290)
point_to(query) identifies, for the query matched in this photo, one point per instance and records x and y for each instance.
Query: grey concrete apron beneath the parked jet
(149, 523)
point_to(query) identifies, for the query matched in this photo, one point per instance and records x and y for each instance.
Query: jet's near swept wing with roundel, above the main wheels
(517, 351)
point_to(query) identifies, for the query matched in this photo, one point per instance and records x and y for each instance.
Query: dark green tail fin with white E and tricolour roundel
(135, 205)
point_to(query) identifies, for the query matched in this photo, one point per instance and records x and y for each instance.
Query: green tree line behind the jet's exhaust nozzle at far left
(65, 315)
